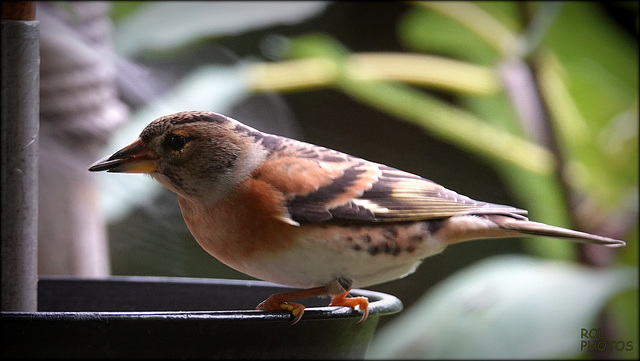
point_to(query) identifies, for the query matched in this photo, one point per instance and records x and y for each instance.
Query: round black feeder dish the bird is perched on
(166, 317)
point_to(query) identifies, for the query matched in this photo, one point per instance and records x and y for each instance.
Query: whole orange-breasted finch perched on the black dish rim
(306, 216)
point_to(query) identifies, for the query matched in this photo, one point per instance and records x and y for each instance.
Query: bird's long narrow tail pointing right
(541, 229)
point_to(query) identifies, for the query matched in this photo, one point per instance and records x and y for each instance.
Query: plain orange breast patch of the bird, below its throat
(242, 225)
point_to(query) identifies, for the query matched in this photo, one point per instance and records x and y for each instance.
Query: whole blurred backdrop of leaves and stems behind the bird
(531, 104)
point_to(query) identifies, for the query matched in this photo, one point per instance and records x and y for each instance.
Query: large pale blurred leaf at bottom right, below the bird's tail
(505, 307)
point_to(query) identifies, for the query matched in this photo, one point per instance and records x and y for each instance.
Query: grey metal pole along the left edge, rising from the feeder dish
(20, 57)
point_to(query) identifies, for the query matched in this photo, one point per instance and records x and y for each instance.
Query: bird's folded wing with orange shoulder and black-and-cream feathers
(323, 185)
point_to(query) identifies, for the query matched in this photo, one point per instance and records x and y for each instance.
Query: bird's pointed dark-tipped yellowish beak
(134, 158)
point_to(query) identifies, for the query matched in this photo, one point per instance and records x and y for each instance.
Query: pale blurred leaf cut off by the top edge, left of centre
(166, 25)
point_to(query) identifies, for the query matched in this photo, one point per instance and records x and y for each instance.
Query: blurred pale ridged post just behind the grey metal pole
(79, 108)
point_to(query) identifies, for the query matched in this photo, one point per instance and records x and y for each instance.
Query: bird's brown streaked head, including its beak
(198, 155)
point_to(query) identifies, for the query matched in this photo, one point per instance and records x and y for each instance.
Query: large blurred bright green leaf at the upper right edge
(592, 85)
